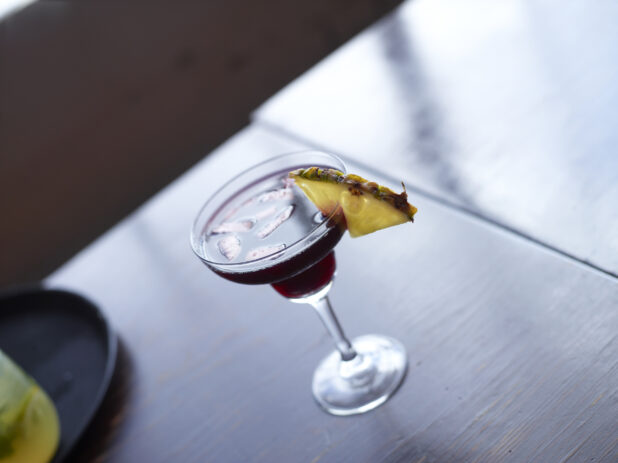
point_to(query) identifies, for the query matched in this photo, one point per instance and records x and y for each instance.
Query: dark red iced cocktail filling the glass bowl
(260, 236)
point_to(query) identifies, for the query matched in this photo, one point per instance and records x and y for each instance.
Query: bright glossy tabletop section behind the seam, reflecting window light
(508, 109)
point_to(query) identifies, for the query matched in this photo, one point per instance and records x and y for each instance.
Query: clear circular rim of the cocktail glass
(293, 247)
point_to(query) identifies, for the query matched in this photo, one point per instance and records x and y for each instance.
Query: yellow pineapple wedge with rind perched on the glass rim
(367, 206)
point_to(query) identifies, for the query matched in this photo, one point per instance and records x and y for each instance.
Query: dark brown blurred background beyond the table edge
(104, 103)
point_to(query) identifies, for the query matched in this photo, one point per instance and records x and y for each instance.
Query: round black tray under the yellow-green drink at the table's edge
(65, 343)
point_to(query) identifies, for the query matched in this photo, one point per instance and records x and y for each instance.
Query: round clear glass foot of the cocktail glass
(363, 383)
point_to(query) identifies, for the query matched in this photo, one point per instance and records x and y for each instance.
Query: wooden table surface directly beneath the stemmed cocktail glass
(513, 347)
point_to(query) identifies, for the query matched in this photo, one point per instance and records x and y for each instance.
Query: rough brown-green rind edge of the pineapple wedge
(357, 185)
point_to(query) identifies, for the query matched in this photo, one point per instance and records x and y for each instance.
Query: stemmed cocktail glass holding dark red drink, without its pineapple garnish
(259, 228)
